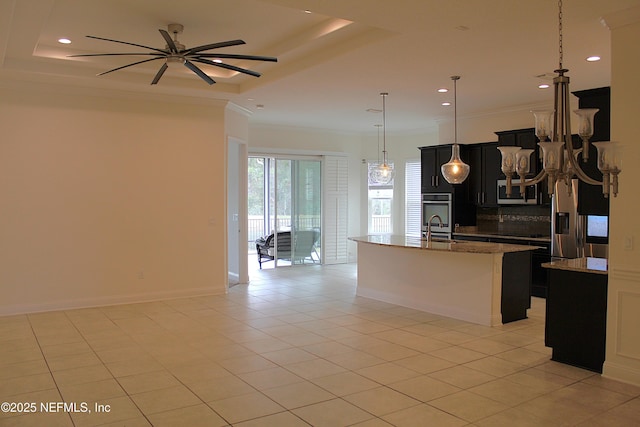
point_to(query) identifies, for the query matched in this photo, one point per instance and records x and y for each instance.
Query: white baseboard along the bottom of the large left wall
(72, 304)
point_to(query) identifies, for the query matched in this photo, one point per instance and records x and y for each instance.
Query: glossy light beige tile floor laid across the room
(296, 347)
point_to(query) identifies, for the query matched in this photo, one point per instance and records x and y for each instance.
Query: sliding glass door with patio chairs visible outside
(285, 202)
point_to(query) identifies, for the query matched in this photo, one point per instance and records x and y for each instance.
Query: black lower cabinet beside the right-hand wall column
(576, 318)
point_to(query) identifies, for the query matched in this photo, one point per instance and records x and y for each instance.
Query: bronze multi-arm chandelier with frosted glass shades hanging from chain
(560, 159)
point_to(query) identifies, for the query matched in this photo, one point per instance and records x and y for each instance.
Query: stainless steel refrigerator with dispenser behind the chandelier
(573, 235)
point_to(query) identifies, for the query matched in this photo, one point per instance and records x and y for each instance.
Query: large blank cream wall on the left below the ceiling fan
(108, 200)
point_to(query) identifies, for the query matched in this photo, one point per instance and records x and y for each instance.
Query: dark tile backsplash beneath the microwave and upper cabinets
(517, 220)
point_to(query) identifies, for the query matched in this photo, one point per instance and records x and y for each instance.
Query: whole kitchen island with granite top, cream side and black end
(479, 282)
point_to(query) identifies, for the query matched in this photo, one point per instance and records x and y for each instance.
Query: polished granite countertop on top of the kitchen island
(442, 245)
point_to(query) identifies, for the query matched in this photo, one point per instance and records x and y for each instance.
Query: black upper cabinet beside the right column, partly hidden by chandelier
(590, 198)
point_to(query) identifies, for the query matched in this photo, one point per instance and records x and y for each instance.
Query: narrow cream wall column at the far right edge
(623, 315)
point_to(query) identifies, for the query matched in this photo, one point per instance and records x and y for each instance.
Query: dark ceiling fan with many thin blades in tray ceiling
(176, 53)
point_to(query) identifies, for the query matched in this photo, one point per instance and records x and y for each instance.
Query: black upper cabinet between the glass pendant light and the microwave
(484, 160)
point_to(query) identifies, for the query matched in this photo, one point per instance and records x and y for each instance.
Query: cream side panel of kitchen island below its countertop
(465, 286)
